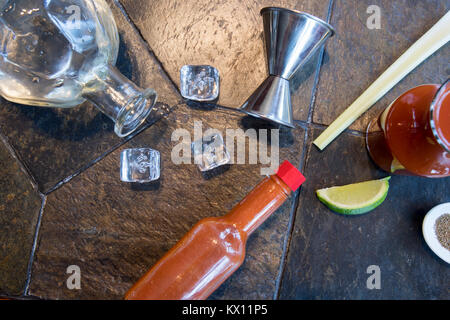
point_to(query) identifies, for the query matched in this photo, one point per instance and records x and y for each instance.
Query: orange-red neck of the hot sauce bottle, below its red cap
(259, 204)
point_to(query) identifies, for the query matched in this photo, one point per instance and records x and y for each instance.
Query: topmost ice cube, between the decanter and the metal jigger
(199, 83)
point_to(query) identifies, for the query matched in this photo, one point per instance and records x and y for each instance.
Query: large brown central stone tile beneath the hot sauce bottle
(116, 231)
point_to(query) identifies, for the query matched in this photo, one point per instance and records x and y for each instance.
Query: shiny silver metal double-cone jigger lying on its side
(291, 38)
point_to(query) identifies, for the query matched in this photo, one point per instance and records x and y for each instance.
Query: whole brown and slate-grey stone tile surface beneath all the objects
(61, 201)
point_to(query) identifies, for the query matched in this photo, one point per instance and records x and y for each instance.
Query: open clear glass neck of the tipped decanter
(119, 98)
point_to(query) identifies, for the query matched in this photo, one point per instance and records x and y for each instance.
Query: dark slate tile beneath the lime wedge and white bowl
(329, 253)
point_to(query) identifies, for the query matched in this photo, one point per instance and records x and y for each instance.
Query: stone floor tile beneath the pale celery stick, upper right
(357, 56)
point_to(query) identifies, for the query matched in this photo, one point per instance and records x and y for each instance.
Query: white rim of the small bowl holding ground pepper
(429, 231)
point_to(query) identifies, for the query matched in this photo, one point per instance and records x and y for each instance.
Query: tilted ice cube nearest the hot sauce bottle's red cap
(210, 152)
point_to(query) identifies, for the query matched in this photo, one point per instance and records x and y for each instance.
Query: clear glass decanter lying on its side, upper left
(59, 53)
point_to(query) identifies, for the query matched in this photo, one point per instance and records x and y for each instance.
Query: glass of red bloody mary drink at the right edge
(412, 136)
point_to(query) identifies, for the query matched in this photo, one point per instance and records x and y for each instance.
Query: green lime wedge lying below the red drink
(355, 198)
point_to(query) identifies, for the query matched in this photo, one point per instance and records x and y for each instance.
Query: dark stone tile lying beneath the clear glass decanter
(55, 143)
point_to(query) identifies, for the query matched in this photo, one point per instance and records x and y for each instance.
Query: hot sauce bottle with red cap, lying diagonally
(215, 247)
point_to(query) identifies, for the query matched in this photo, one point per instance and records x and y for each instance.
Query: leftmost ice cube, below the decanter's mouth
(139, 165)
